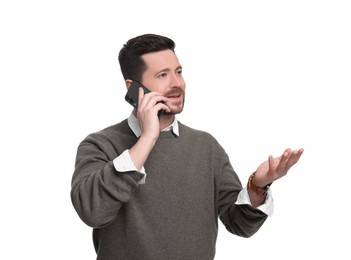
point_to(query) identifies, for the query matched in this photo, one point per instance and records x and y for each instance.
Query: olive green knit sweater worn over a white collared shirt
(190, 183)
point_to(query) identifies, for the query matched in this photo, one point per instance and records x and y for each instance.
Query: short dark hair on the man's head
(130, 61)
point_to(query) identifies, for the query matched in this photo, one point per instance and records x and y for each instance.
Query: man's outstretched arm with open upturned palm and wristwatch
(244, 219)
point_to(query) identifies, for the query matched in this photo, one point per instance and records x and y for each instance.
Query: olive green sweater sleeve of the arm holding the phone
(98, 190)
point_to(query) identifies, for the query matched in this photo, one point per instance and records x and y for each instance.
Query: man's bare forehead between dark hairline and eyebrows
(161, 60)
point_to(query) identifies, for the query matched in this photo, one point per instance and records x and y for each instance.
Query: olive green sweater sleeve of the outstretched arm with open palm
(243, 220)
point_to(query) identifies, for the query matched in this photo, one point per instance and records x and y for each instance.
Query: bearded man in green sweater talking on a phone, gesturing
(153, 188)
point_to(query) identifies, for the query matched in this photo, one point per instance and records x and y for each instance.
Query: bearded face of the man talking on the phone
(164, 75)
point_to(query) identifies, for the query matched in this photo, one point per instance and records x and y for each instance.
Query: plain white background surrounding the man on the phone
(261, 76)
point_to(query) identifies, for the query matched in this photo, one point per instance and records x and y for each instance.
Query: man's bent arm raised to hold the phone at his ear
(99, 187)
